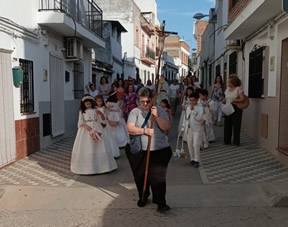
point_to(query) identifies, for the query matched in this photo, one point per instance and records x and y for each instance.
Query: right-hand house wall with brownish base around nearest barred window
(271, 103)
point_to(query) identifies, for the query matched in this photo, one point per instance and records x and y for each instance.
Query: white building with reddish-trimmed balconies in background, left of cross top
(139, 43)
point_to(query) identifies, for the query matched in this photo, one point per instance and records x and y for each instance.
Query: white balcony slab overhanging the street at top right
(255, 15)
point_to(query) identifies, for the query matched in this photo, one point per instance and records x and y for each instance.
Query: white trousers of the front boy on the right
(194, 140)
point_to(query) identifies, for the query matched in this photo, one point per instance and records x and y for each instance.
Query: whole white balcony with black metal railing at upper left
(82, 19)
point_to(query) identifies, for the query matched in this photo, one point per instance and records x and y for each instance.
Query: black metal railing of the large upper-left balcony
(85, 12)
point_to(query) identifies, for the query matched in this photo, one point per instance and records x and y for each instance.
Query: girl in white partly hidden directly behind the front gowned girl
(107, 134)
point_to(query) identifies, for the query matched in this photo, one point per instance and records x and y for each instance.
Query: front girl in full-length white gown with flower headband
(89, 154)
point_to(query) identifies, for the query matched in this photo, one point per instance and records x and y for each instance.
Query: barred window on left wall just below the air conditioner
(78, 81)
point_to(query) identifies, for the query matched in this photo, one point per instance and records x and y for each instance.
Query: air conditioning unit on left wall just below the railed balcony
(74, 48)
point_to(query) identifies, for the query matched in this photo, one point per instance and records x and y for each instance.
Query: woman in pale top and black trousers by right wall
(234, 94)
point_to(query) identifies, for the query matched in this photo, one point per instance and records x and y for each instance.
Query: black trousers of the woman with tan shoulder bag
(232, 123)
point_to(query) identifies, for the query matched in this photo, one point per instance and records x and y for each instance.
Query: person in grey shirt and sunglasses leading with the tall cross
(160, 149)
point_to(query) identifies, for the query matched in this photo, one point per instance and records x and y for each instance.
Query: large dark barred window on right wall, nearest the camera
(256, 81)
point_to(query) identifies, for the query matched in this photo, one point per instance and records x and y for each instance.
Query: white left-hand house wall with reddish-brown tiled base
(32, 43)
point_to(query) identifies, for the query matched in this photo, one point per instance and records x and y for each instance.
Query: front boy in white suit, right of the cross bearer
(192, 125)
